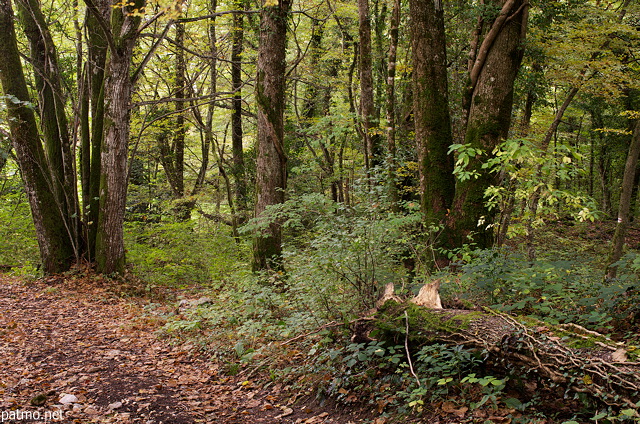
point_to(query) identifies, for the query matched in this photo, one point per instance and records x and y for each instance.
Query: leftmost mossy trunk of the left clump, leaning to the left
(56, 246)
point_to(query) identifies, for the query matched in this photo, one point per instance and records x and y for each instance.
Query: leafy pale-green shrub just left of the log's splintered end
(339, 256)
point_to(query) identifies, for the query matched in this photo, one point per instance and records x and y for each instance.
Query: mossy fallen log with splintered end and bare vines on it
(569, 355)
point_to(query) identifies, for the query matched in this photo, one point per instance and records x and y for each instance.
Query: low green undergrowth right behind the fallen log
(556, 291)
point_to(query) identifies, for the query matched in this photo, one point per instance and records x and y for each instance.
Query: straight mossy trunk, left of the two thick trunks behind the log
(431, 112)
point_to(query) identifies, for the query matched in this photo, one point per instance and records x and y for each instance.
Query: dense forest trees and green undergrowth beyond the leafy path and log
(295, 157)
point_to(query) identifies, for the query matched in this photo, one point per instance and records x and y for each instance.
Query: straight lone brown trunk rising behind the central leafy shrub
(271, 164)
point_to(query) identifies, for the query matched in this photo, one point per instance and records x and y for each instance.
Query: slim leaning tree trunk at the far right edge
(625, 202)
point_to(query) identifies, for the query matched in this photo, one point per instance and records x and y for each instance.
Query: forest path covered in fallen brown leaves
(74, 348)
